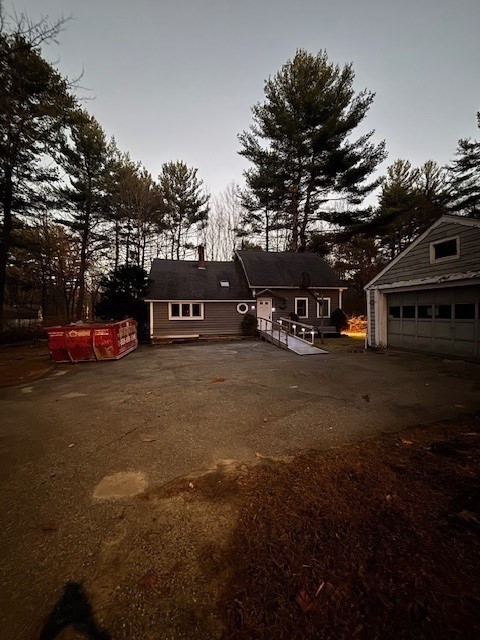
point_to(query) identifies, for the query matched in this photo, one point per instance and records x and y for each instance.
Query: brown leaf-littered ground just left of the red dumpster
(21, 364)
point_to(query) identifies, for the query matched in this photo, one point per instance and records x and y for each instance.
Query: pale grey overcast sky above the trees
(175, 79)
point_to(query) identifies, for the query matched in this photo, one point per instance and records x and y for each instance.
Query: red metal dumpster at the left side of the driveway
(92, 342)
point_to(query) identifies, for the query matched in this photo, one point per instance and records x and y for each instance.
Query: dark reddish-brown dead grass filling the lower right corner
(375, 541)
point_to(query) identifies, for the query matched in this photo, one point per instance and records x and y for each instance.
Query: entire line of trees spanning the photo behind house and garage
(75, 207)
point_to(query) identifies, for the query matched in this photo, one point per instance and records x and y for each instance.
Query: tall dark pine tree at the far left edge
(34, 100)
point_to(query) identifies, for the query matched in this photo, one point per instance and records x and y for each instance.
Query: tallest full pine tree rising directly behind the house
(303, 132)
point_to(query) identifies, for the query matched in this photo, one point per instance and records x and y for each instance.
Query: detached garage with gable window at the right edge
(427, 299)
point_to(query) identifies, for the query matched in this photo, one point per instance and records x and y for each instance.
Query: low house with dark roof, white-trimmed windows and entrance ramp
(195, 299)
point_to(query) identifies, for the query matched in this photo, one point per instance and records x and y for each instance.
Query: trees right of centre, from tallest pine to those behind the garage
(311, 175)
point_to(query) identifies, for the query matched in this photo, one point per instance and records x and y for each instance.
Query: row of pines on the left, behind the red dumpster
(73, 205)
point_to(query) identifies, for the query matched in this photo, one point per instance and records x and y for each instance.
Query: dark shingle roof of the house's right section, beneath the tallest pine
(285, 269)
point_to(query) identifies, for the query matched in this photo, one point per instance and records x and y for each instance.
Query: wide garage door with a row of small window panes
(443, 321)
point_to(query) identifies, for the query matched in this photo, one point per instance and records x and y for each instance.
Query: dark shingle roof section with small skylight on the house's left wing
(183, 280)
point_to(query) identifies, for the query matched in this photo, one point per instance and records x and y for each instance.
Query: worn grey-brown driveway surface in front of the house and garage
(133, 426)
